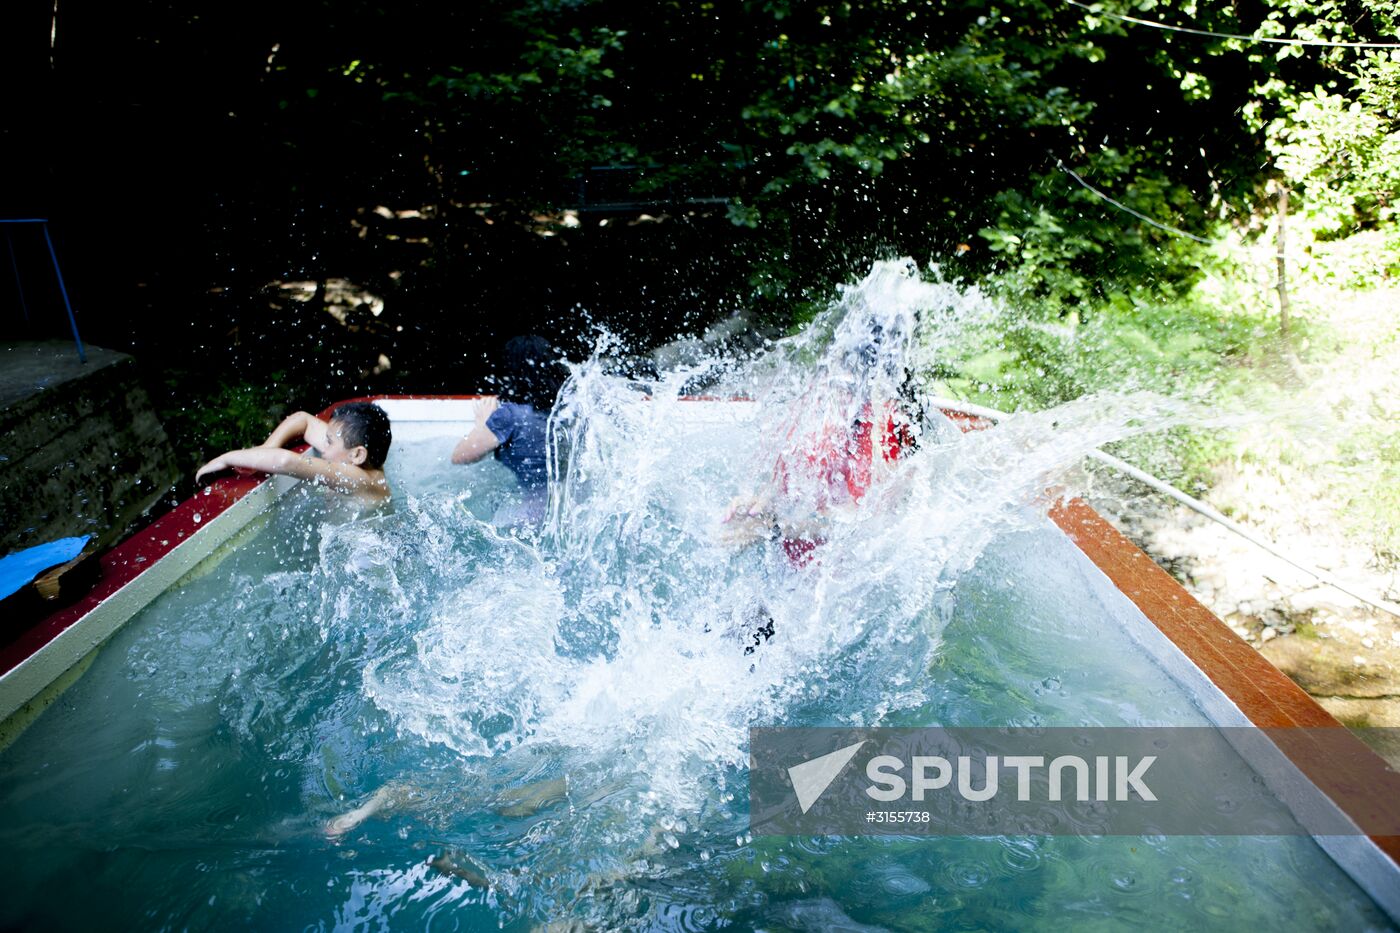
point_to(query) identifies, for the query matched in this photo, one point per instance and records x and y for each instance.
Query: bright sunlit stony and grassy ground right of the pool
(1305, 485)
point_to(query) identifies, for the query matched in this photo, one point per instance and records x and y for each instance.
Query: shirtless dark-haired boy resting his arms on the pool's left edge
(351, 450)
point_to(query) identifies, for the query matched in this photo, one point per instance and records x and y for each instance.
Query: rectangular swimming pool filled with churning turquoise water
(565, 722)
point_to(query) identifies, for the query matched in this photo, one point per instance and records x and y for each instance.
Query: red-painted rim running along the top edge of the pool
(1263, 694)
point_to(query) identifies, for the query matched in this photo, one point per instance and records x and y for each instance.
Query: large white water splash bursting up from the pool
(629, 648)
